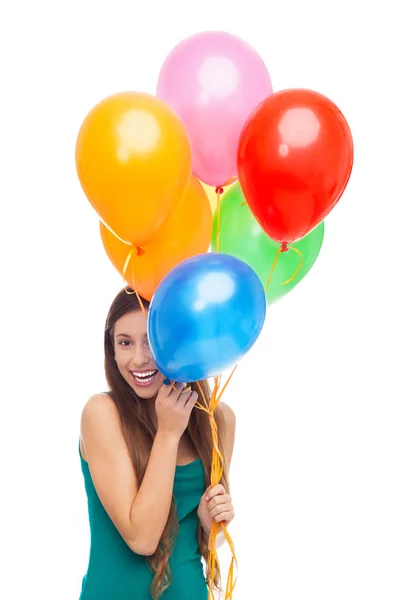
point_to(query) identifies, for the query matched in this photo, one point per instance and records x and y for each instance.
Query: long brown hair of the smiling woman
(139, 433)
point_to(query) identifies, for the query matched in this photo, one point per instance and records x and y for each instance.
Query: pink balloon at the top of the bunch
(213, 81)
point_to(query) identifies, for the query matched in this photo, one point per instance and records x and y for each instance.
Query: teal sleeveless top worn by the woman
(115, 572)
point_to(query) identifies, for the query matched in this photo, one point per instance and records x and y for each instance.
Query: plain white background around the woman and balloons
(315, 474)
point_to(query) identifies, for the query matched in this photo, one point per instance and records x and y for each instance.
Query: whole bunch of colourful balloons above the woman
(209, 263)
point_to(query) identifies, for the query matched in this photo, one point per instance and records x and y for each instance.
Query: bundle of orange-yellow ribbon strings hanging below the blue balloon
(217, 466)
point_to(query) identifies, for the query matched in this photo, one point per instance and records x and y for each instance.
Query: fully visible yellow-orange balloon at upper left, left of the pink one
(133, 161)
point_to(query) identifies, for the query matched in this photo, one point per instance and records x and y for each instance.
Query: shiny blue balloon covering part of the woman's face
(205, 315)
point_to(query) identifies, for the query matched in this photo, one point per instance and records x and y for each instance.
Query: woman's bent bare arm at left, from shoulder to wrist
(140, 515)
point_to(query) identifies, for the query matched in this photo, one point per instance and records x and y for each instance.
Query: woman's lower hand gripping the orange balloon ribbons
(215, 505)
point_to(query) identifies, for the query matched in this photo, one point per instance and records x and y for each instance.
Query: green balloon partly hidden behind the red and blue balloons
(242, 237)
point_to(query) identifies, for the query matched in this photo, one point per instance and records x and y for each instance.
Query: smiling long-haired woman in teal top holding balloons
(146, 455)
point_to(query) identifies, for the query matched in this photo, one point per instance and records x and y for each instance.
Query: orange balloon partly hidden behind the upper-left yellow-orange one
(186, 233)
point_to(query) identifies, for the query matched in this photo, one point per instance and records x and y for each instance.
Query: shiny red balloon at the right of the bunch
(294, 161)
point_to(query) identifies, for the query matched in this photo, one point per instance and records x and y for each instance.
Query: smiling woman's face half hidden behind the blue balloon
(133, 356)
